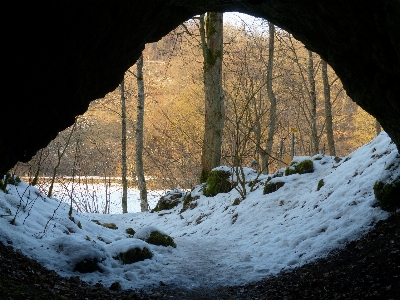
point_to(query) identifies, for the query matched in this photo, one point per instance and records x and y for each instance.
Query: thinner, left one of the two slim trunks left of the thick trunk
(123, 147)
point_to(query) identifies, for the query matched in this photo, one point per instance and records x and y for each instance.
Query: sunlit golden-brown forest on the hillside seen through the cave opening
(279, 100)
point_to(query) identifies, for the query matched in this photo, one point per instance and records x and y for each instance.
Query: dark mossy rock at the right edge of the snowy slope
(388, 195)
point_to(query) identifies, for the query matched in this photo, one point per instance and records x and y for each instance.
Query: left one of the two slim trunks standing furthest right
(313, 101)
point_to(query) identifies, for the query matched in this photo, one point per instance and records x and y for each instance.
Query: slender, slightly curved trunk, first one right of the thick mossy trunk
(271, 97)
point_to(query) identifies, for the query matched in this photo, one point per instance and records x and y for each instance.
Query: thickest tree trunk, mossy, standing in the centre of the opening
(212, 36)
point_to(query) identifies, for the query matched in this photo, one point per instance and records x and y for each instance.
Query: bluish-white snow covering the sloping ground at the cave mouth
(218, 243)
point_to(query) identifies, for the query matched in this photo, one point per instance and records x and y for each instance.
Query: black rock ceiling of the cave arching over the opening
(59, 55)
